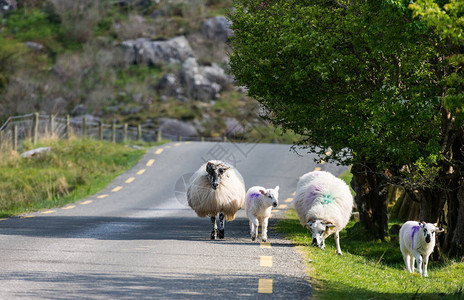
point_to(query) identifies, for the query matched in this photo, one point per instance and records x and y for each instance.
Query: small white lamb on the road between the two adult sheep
(258, 205)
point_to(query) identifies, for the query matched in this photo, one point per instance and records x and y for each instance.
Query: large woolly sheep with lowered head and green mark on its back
(323, 203)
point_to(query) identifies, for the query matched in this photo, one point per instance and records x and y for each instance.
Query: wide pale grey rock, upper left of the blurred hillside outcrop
(145, 51)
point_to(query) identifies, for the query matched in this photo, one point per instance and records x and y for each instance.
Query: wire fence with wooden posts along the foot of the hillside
(31, 127)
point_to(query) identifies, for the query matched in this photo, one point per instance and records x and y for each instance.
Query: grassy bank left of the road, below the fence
(72, 170)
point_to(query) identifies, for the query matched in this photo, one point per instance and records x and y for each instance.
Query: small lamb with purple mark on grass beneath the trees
(417, 240)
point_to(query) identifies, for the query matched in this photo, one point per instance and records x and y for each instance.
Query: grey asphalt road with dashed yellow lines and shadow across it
(137, 239)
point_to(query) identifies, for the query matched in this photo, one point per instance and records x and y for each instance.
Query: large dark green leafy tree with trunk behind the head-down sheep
(358, 77)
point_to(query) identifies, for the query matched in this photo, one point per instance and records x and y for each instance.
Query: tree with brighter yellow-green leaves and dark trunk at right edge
(445, 18)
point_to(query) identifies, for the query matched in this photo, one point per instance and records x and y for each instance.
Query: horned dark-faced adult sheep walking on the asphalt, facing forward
(216, 188)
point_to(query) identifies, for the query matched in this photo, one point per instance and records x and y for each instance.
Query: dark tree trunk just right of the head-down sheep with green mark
(371, 199)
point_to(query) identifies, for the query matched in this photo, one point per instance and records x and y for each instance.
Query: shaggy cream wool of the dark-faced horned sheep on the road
(228, 198)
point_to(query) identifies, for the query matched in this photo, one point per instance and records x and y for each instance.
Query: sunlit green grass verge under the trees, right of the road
(369, 269)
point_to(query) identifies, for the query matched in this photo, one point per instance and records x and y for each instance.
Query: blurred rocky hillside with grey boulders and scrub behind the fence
(159, 63)
